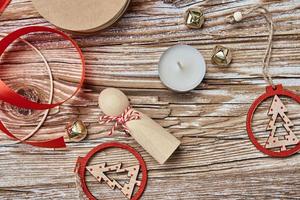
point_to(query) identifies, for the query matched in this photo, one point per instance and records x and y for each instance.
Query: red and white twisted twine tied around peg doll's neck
(121, 120)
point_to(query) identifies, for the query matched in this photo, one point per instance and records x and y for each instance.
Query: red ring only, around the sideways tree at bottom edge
(82, 163)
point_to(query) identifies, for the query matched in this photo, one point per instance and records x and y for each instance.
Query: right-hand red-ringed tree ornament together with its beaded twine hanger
(272, 91)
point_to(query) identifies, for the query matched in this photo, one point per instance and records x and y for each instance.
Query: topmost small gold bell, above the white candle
(194, 18)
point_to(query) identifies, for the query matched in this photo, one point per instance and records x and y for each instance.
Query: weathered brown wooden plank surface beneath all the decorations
(216, 159)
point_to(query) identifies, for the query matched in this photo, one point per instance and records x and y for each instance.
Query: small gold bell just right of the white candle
(221, 56)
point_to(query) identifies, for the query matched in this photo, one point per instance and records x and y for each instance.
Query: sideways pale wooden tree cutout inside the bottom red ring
(98, 171)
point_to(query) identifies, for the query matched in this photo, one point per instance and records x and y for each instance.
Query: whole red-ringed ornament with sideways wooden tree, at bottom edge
(99, 172)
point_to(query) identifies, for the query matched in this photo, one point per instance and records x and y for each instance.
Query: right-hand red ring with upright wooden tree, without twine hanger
(277, 109)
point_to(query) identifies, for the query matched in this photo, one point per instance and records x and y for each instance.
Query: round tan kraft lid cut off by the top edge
(81, 15)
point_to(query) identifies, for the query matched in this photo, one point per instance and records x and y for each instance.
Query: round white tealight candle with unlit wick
(182, 68)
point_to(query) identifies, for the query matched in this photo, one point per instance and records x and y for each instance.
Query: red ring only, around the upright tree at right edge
(270, 91)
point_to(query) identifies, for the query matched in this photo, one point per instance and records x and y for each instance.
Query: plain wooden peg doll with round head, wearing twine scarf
(150, 135)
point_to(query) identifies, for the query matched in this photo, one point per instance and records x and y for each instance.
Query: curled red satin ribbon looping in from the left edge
(9, 96)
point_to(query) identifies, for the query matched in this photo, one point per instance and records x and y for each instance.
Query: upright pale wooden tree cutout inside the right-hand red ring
(278, 108)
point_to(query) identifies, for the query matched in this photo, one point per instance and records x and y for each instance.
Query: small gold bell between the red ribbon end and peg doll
(76, 130)
